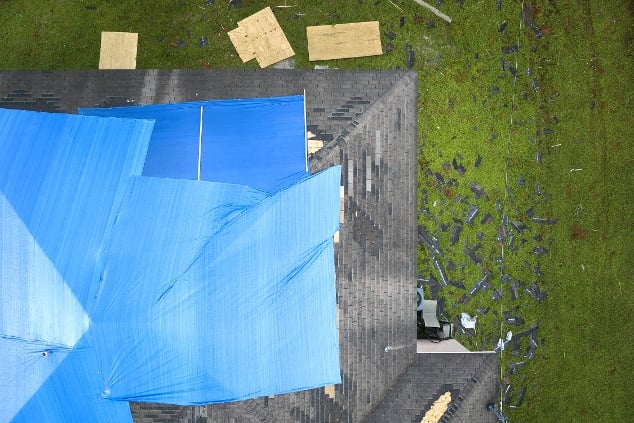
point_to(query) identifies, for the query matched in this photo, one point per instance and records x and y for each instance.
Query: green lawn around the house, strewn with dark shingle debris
(578, 117)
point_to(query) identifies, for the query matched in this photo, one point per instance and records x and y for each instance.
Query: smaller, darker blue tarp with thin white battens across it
(259, 142)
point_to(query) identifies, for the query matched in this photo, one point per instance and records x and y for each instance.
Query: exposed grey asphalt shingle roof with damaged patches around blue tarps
(368, 121)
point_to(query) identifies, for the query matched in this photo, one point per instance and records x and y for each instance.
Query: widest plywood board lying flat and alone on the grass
(342, 41)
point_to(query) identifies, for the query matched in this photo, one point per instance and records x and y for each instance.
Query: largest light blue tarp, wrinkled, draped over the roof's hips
(118, 287)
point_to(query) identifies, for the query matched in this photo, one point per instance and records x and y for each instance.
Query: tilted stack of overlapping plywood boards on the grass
(261, 36)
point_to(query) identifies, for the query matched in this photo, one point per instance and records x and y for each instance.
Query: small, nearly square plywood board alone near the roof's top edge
(118, 50)
